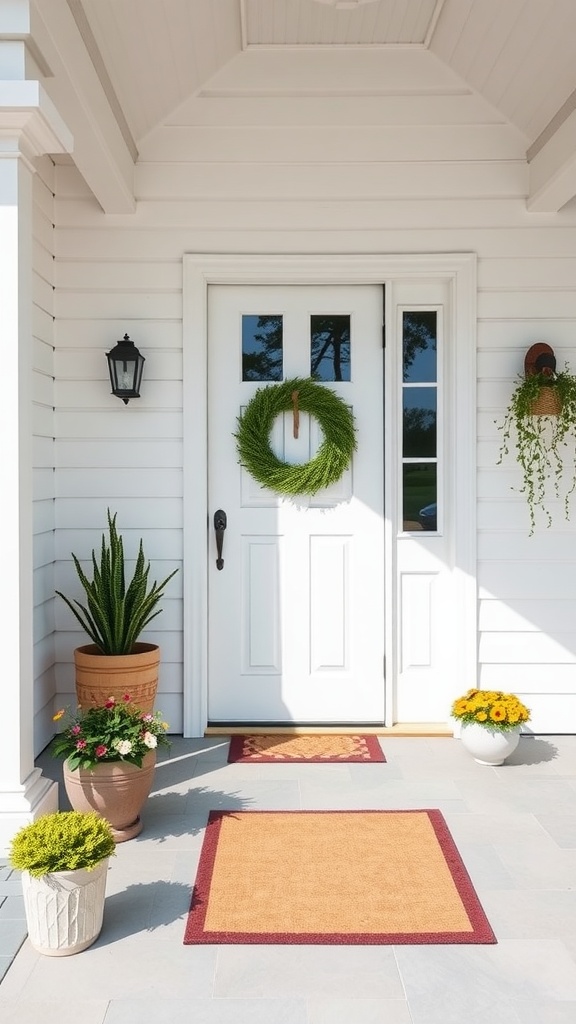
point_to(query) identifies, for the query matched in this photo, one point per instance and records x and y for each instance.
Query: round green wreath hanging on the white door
(334, 456)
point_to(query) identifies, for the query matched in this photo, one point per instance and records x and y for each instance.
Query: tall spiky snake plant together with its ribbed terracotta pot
(114, 618)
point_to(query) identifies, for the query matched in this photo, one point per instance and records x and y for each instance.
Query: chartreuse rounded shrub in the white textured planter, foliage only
(64, 841)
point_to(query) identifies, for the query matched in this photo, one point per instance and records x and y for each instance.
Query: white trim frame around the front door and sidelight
(201, 271)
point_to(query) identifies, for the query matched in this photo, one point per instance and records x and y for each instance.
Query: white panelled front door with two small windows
(297, 615)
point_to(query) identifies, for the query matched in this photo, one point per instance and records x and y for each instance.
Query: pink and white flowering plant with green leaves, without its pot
(115, 732)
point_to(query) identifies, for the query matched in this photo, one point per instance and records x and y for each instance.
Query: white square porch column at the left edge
(29, 126)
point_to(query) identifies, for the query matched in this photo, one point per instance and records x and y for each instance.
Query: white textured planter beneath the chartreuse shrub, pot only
(65, 911)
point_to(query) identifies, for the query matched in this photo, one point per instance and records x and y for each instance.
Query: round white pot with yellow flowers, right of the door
(491, 722)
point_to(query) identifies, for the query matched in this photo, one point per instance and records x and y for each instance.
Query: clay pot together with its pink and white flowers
(110, 759)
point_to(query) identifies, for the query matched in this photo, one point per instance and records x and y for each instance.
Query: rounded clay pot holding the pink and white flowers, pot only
(116, 790)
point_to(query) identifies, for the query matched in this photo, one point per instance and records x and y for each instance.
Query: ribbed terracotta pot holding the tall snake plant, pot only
(101, 676)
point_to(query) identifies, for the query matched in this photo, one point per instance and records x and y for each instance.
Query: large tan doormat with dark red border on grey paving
(334, 877)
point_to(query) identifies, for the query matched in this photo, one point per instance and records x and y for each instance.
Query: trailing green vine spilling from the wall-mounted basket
(546, 445)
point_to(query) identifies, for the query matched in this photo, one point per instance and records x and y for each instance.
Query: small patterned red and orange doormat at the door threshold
(311, 748)
